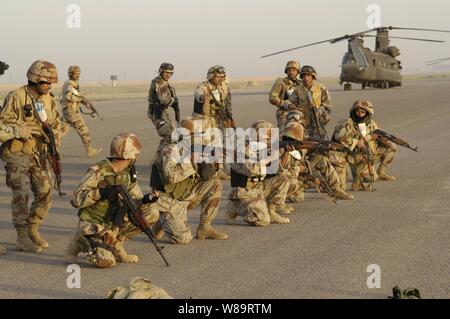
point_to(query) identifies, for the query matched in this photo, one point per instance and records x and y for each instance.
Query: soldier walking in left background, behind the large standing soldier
(71, 100)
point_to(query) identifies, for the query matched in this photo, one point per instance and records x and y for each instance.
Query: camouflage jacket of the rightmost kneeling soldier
(347, 132)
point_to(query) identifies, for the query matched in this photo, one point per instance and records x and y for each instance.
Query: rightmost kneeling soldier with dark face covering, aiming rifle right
(356, 132)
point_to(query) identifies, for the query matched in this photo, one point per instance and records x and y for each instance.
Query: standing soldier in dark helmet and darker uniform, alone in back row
(161, 96)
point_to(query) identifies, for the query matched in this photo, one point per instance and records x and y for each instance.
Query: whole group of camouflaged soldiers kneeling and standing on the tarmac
(180, 183)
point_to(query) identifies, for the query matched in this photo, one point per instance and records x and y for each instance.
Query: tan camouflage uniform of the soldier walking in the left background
(71, 99)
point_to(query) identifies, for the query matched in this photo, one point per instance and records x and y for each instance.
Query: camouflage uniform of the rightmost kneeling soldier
(347, 132)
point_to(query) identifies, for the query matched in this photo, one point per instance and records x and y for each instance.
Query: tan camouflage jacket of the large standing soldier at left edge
(18, 109)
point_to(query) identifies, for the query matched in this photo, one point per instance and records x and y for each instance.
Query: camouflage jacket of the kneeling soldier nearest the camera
(87, 197)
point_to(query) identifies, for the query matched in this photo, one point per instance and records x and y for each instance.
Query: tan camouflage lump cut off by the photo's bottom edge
(139, 288)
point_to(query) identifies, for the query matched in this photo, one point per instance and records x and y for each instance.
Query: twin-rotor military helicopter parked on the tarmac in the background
(379, 68)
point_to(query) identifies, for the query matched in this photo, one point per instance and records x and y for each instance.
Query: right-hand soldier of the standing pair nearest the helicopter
(313, 100)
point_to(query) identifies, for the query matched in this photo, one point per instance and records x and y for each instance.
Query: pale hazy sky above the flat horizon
(131, 38)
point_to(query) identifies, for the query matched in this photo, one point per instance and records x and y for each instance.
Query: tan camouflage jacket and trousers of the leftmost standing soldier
(27, 163)
